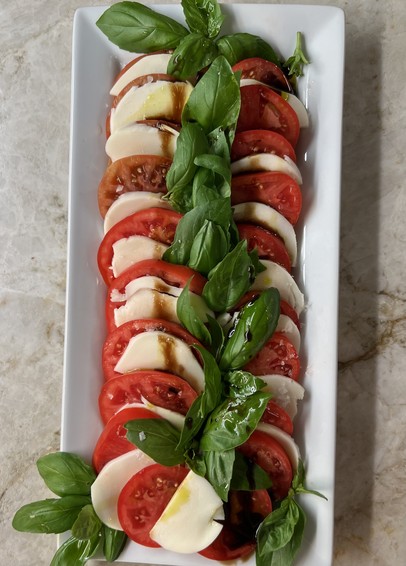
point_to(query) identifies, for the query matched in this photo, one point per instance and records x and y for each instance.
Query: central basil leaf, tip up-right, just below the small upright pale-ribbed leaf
(230, 279)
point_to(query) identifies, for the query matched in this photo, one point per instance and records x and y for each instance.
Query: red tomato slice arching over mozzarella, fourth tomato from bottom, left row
(117, 341)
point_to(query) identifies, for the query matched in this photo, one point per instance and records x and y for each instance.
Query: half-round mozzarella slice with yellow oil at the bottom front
(189, 521)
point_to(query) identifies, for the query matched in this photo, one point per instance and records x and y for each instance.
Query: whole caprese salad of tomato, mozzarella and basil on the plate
(201, 361)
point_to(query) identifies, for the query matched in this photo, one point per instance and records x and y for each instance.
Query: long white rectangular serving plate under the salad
(95, 63)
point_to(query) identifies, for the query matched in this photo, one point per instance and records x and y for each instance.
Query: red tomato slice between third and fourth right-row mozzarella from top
(268, 245)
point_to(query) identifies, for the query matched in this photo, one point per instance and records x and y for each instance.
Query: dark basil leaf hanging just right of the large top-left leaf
(194, 53)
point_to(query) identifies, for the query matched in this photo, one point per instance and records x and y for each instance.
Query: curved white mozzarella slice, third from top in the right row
(270, 219)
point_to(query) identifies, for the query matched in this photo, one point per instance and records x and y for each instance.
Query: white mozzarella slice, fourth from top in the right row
(276, 276)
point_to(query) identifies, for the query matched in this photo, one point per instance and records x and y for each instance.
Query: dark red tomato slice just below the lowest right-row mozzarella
(265, 451)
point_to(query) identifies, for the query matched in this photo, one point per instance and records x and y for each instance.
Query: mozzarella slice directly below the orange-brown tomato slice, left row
(131, 202)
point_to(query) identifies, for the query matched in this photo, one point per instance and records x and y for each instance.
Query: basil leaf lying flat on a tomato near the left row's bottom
(157, 438)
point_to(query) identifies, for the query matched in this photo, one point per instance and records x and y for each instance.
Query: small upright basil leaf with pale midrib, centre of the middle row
(208, 249)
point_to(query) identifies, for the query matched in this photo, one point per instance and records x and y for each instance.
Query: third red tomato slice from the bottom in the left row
(159, 388)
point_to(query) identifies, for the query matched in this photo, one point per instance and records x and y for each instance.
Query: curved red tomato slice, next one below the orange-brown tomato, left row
(156, 223)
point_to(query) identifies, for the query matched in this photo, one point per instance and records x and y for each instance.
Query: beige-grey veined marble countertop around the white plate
(35, 42)
